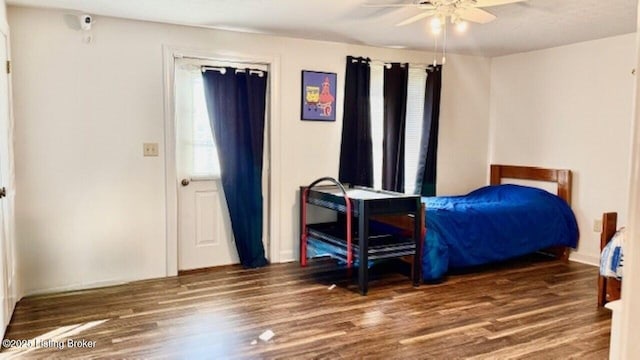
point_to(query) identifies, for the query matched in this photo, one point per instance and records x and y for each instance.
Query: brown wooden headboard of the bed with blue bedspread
(560, 177)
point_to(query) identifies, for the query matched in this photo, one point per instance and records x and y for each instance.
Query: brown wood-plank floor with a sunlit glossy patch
(531, 308)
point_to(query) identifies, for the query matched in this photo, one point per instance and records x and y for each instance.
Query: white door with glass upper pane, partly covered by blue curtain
(205, 237)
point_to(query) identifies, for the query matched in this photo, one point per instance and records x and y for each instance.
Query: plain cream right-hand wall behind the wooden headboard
(570, 107)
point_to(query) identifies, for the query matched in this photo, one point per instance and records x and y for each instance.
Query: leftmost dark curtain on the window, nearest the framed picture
(356, 154)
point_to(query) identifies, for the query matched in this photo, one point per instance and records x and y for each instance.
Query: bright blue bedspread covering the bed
(491, 224)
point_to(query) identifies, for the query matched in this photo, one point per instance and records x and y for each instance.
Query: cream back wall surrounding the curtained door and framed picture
(91, 209)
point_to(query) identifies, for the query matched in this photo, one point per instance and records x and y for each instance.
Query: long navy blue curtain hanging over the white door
(236, 105)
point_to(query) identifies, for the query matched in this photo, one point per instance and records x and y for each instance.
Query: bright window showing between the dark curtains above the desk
(413, 129)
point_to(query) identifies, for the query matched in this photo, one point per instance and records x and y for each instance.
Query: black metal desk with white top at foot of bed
(361, 244)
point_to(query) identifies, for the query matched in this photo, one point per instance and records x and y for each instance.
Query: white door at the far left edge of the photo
(8, 290)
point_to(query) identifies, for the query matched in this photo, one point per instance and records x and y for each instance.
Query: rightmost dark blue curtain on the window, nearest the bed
(426, 179)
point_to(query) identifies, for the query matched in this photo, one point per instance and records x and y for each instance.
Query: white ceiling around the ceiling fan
(534, 24)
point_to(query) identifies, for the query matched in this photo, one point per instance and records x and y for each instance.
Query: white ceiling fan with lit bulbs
(457, 10)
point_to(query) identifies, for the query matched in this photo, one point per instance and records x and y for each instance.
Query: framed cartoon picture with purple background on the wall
(318, 96)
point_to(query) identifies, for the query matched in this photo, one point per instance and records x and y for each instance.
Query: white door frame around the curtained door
(170, 53)
